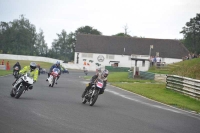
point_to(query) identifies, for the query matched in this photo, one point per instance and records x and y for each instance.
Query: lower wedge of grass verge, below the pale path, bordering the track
(158, 92)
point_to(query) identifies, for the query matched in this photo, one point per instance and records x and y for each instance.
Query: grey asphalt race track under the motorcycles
(59, 110)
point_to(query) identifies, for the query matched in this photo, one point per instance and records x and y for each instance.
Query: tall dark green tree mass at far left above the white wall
(18, 37)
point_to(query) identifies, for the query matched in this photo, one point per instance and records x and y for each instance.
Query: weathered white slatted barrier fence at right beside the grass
(187, 86)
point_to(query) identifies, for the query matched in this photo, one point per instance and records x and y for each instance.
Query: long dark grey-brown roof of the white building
(116, 45)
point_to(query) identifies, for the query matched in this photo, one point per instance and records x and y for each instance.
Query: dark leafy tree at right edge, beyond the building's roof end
(191, 34)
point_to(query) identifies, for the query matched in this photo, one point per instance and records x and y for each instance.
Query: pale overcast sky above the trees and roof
(161, 19)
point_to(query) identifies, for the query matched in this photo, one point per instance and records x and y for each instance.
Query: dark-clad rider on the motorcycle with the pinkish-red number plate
(101, 75)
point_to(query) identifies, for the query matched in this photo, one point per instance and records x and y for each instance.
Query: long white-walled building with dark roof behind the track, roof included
(92, 50)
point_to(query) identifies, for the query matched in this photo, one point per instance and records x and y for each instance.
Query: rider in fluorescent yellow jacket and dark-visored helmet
(33, 72)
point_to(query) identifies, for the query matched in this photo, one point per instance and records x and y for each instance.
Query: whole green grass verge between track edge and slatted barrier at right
(154, 90)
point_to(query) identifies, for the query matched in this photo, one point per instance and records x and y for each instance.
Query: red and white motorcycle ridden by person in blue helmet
(53, 77)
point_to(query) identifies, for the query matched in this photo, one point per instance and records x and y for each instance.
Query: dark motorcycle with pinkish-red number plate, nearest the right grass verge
(92, 94)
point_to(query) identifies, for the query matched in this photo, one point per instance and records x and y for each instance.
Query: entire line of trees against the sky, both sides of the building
(20, 37)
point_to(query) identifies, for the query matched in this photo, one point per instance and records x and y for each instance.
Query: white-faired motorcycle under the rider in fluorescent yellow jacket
(23, 85)
